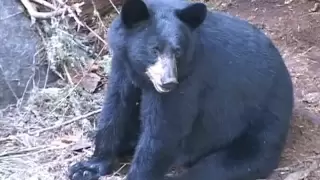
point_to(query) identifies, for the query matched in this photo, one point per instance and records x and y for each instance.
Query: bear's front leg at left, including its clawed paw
(118, 121)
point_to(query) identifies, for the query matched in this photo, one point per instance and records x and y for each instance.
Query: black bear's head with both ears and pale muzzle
(158, 40)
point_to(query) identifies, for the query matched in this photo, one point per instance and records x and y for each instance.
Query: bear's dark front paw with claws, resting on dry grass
(90, 170)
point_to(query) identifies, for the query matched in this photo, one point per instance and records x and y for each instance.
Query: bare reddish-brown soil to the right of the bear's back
(295, 29)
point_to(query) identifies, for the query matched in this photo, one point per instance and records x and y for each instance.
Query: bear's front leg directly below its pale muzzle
(162, 131)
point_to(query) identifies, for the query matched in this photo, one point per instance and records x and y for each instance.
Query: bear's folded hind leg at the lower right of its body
(254, 155)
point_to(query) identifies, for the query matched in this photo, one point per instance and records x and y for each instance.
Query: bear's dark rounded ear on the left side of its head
(133, 11)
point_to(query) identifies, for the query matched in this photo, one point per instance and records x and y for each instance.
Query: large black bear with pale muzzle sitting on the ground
(192, 88)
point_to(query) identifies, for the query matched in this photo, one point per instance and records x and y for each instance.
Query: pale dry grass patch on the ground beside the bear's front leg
(36, 142)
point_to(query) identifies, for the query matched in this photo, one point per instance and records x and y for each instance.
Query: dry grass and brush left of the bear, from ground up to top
(38, 139)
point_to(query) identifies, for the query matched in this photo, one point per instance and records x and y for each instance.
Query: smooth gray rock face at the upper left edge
(19, 49)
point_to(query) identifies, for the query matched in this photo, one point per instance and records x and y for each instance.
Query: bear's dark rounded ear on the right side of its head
(193, 15)
